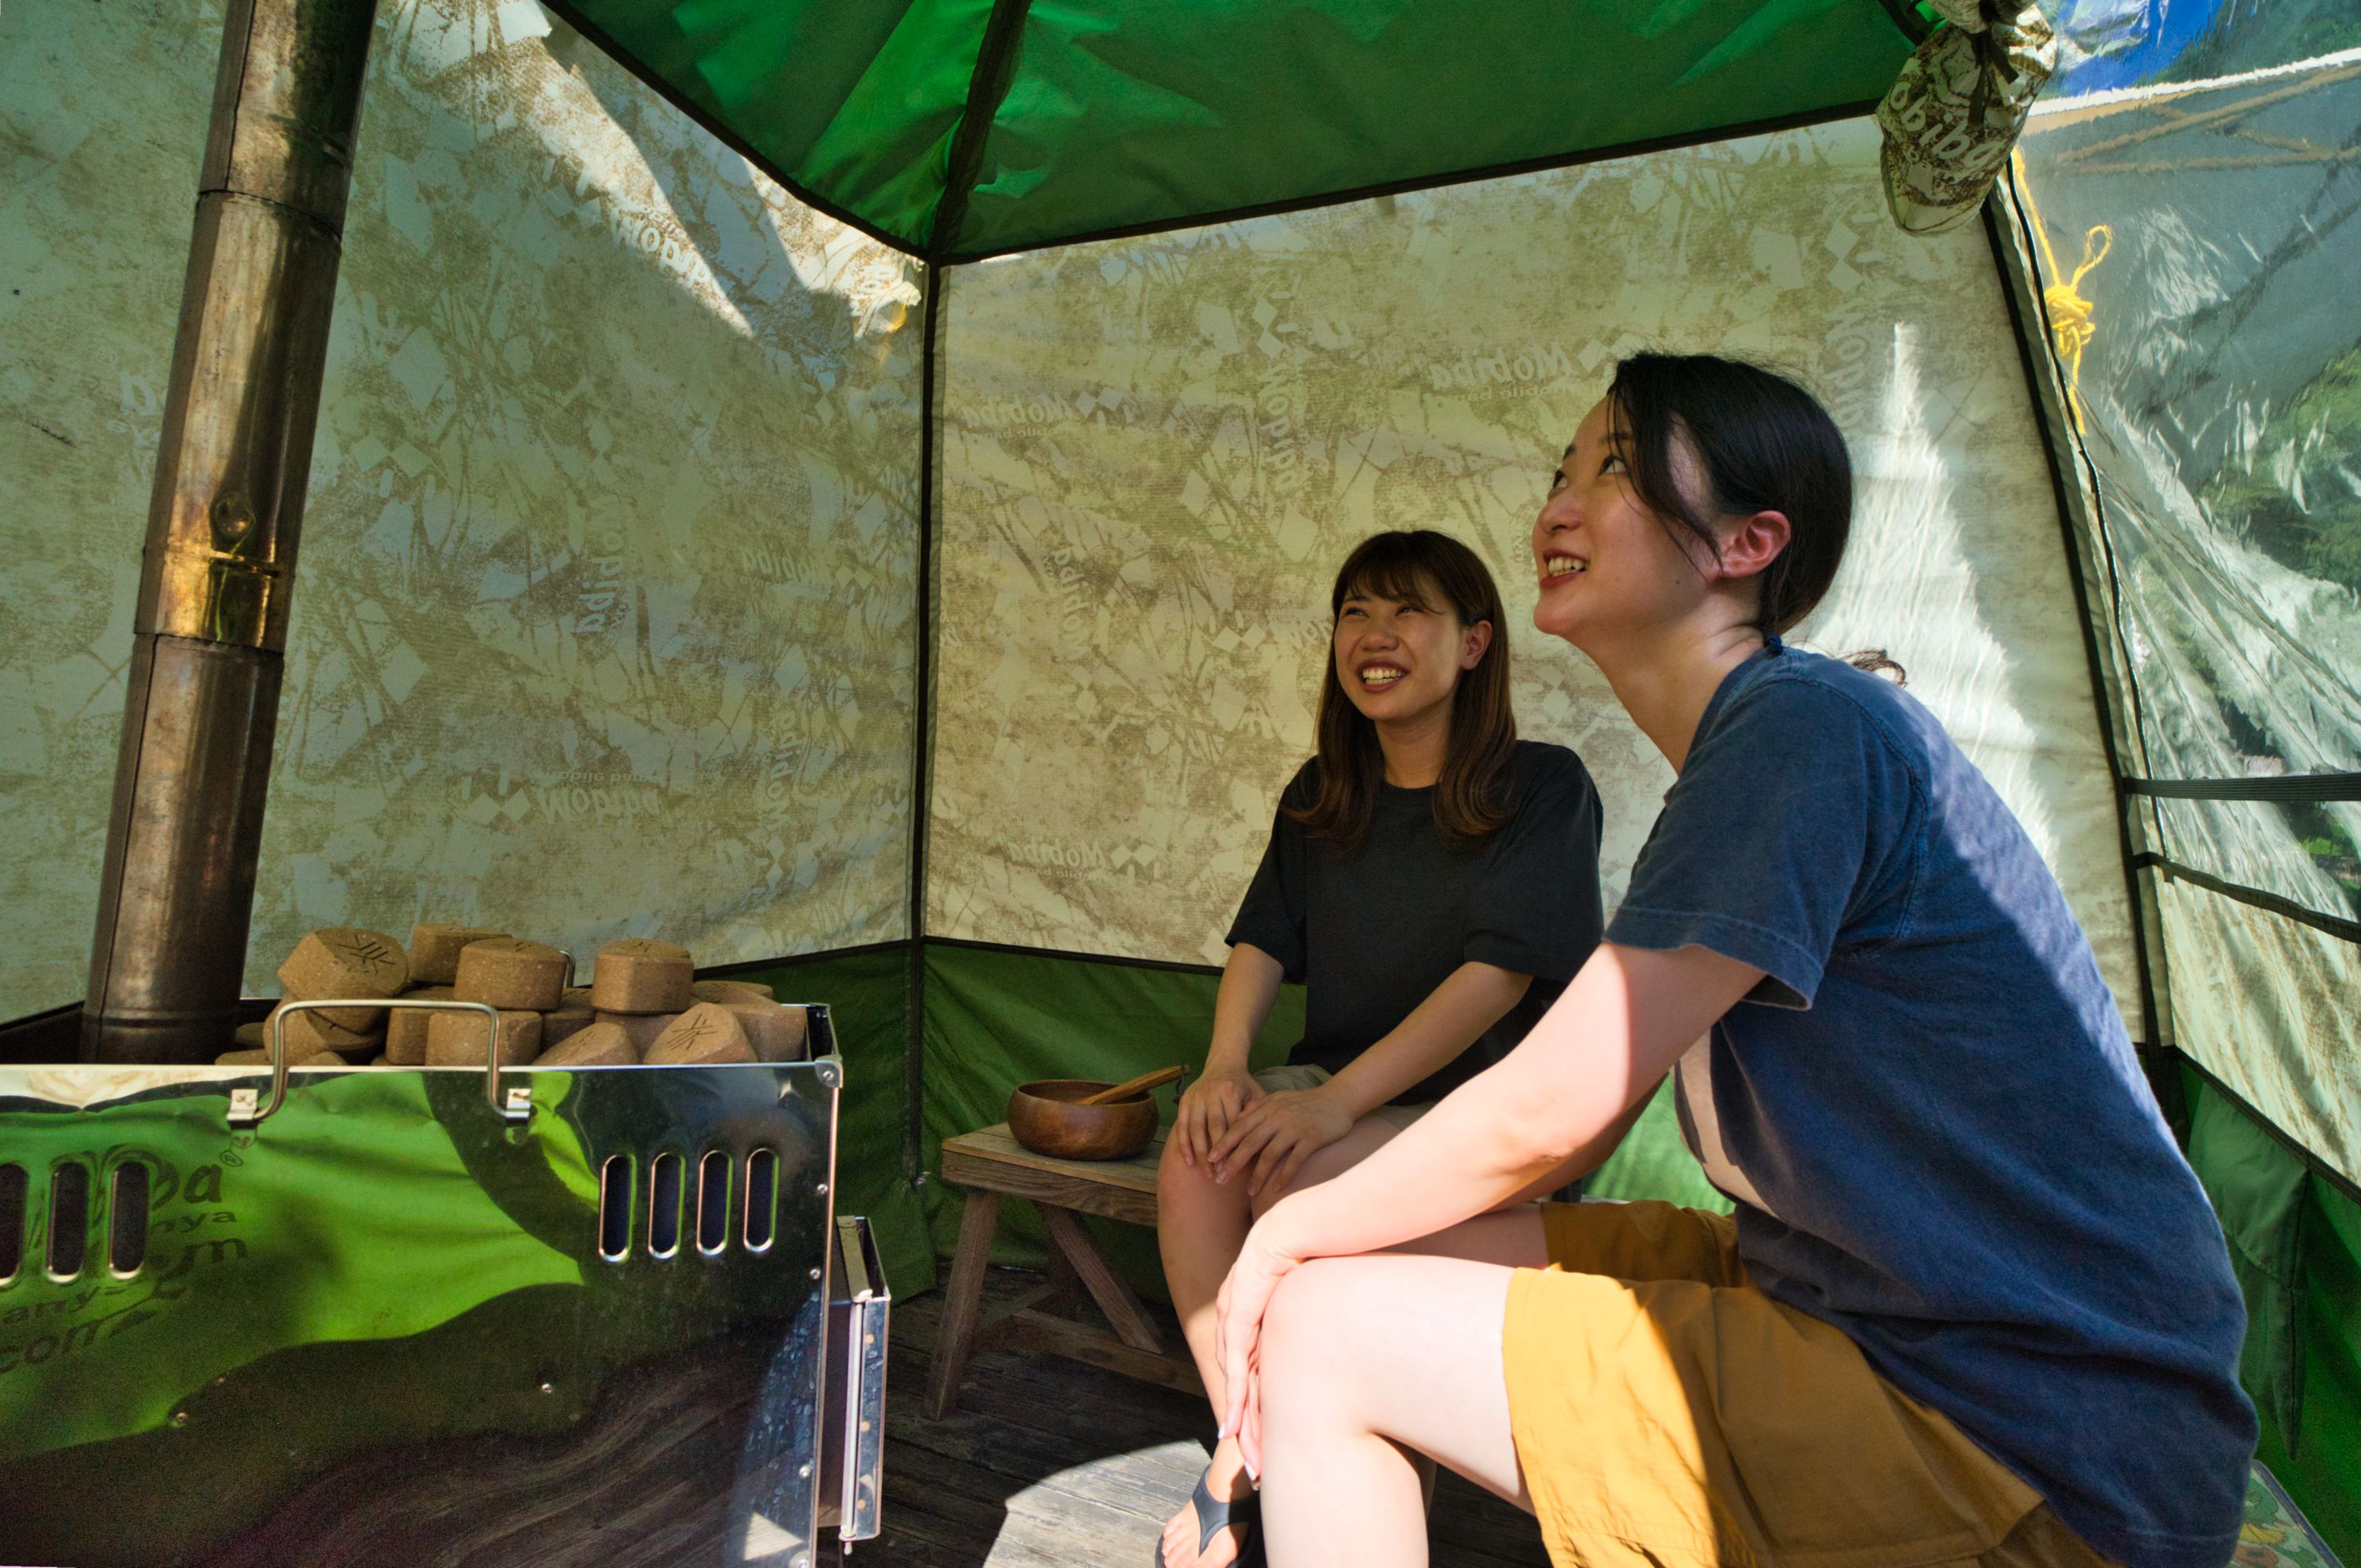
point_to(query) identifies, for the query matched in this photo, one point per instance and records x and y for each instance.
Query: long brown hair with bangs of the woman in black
(1418, 568)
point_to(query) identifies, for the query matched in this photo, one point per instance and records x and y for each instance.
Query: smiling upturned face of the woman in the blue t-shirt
(1607, 563)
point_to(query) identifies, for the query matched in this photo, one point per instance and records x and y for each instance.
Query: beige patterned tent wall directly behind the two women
(1156, 452)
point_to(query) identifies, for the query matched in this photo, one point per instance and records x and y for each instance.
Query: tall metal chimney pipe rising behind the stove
(218, 566)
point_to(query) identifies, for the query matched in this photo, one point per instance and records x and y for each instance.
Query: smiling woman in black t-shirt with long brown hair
(1432, 882)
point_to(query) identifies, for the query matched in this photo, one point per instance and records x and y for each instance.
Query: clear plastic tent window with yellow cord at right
(2199, 256)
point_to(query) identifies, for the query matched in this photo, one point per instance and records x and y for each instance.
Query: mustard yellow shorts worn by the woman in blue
(1670, 1416)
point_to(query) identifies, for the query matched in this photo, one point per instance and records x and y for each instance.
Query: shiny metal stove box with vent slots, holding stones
(225, 1288)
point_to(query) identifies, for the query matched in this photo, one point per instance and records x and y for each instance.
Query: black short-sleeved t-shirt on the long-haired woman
(1373, 936)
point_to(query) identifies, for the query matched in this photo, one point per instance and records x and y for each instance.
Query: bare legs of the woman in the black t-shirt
(1201, 1229)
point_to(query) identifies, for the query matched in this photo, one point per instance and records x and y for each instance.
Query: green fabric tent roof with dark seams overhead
(964, 129)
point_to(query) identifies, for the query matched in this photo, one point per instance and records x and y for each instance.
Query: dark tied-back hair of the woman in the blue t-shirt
(1765, 445)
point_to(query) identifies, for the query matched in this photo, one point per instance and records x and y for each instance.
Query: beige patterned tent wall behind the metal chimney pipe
(606, 596)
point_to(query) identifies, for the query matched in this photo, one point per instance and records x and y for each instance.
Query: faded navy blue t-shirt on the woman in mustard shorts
(1930, 1113)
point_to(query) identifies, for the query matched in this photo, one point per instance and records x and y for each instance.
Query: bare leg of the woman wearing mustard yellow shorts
(1368, 1364)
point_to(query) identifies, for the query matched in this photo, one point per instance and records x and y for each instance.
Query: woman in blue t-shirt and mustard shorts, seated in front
(1973, 1302)
